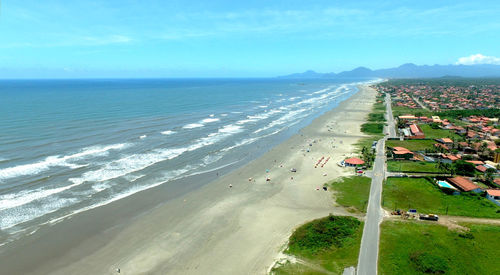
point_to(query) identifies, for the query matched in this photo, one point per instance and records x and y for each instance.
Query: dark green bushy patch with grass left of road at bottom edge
(323, 246)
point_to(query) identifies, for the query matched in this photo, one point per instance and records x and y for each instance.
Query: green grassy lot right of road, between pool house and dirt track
(419, 193)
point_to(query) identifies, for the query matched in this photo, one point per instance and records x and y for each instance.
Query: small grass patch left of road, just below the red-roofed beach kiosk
(352, 192)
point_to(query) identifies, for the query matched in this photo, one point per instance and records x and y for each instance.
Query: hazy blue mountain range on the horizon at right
(410, 70)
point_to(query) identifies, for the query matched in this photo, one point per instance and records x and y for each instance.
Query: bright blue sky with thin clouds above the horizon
(170, 38)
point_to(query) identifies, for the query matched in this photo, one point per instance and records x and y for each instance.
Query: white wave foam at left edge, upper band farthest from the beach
(52, 161)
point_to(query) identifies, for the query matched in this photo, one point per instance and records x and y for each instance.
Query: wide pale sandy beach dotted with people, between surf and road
(217, 229)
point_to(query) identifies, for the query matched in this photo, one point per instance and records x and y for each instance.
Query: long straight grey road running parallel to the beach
(368, 254)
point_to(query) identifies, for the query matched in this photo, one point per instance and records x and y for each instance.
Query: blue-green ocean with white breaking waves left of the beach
(68, 146)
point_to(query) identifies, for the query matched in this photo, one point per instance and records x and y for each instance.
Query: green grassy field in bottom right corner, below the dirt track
(409, 247)
